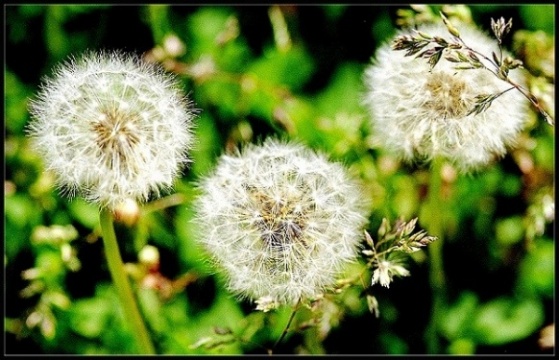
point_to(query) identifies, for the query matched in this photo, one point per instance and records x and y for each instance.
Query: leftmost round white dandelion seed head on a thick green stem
(112, 128)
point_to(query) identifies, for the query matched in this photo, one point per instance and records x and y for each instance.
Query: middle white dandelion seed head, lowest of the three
(280, 220)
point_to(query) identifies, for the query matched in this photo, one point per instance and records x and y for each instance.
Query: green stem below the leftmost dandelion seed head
(120, 279)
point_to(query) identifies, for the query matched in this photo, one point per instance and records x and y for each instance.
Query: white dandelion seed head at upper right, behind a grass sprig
(419, 113)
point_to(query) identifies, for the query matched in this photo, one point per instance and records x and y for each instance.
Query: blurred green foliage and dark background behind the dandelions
(296, 72)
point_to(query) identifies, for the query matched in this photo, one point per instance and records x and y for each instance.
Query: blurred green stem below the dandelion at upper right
(435, 212)
